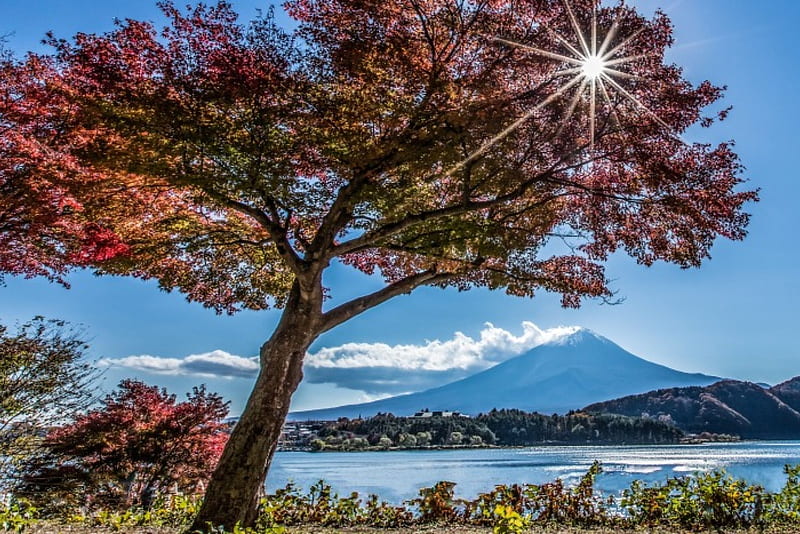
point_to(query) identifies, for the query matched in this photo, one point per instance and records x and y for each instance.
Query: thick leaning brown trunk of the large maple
(234, 489)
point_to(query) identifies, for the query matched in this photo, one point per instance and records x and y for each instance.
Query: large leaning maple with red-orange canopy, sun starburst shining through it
(425, 142)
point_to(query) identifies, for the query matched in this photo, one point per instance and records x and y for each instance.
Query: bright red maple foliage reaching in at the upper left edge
(44, 227)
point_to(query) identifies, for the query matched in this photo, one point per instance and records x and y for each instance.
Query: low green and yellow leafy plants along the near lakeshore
(700, 501)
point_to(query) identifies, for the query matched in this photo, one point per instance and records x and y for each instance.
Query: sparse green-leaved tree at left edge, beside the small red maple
(43, 381)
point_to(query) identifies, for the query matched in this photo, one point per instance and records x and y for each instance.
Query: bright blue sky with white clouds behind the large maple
(734, 317)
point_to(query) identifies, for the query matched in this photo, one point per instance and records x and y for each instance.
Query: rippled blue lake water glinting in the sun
(397, 475)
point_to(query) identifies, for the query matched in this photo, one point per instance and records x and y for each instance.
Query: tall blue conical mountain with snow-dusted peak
(565, 374)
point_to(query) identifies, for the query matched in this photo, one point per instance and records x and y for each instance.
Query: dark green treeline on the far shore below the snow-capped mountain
(496, 428)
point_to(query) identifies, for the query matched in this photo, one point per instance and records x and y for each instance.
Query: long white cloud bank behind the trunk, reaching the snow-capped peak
(375, 368)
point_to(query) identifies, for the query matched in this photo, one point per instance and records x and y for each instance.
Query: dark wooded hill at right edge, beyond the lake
(726, 407)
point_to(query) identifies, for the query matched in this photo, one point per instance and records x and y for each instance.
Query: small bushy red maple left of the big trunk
(139, 442)
